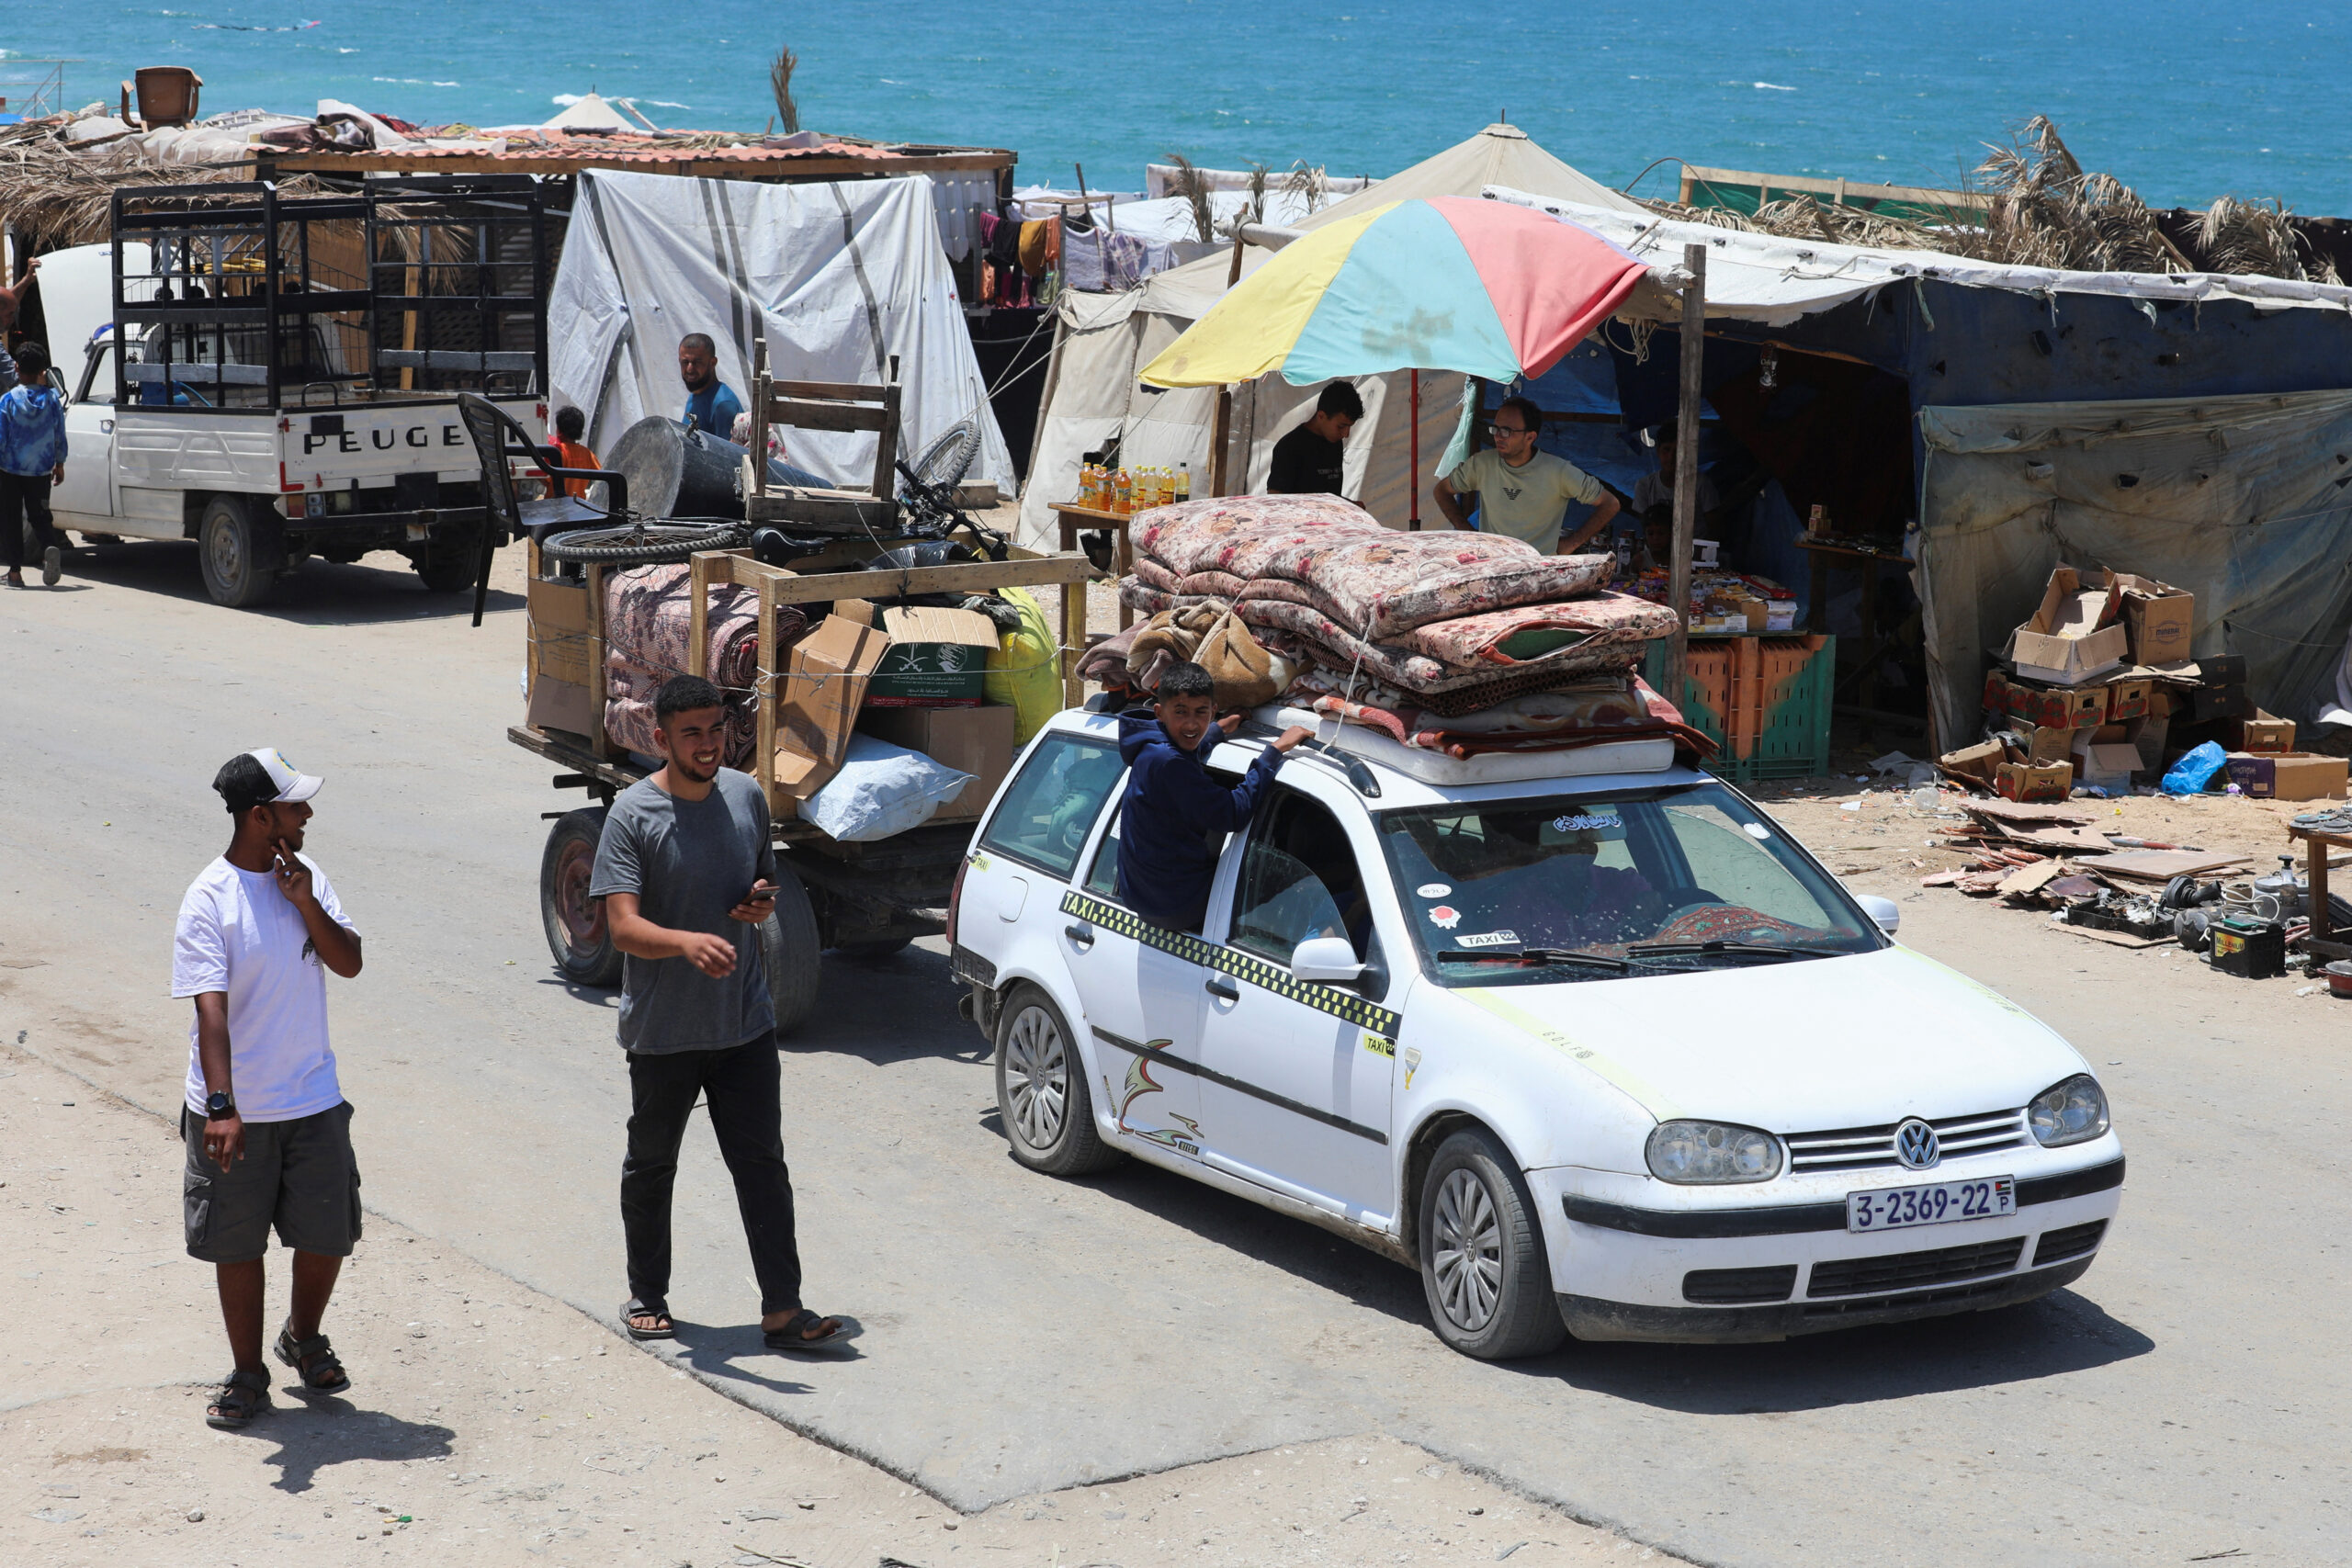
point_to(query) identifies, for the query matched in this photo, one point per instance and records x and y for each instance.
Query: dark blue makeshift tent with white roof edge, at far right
(2179, 427)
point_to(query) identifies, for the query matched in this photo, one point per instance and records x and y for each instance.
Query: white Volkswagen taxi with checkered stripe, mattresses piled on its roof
(1582, 1036)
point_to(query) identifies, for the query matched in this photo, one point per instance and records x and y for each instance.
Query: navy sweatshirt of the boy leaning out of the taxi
(1175, 822)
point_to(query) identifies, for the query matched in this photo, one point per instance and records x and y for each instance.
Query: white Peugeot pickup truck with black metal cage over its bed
(347, 441)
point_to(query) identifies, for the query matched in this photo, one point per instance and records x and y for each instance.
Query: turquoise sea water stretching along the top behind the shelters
(2184, 102)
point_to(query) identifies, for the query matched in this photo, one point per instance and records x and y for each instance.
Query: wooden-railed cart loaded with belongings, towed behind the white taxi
(862, 902)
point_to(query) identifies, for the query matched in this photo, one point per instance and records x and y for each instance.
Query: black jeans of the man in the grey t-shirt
(744, 1094)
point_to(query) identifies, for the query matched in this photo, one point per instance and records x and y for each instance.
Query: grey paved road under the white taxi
(2186, 1398)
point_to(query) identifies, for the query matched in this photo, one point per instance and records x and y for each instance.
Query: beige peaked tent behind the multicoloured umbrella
(1104, 340)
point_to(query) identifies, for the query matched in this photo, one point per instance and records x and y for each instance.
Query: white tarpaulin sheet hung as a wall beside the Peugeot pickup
(841, 279)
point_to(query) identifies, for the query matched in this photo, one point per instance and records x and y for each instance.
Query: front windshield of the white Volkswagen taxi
(1542, 890)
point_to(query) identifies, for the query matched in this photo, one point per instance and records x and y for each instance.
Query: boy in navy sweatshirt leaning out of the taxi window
(1175, 817)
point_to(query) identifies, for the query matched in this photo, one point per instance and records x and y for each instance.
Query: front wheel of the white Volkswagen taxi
(1483, 1261)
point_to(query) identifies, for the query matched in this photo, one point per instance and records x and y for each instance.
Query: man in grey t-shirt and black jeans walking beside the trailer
(688, 876)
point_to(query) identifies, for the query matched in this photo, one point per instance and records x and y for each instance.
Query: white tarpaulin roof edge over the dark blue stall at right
(1775, 281)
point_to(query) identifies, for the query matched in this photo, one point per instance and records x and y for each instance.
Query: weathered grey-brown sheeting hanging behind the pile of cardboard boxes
(2245, 502)
